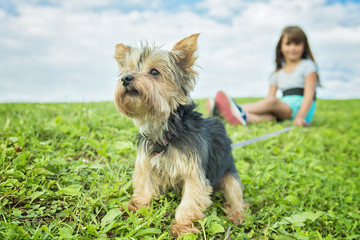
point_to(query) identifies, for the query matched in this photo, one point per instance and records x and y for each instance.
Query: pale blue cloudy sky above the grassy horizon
(55, 51)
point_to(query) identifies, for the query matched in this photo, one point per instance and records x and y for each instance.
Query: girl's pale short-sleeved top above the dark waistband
(295, 79)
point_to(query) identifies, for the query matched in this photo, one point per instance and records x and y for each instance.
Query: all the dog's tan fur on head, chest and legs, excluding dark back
(149, 100)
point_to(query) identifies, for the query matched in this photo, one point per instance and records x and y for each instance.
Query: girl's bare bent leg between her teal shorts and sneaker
(261, 110)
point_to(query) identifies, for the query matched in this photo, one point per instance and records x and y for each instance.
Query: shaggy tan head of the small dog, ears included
(154, 82)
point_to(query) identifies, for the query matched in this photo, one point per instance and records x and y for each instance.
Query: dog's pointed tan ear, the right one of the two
(185, 51)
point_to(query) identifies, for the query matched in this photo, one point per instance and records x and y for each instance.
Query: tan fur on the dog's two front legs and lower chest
(155, 174)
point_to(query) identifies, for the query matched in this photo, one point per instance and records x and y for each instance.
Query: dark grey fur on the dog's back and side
(207, 137)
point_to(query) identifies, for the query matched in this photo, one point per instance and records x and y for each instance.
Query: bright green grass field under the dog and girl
(65, 169)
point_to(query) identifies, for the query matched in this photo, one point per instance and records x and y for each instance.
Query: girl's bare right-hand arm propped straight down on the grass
(309, 92)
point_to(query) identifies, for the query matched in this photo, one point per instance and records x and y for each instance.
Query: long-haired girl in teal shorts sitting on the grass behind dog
(295, 74)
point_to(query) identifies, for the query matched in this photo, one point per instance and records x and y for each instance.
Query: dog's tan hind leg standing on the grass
(232, 190)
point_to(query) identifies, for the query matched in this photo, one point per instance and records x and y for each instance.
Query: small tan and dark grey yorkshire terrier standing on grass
(177, 148)
